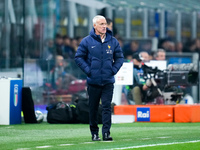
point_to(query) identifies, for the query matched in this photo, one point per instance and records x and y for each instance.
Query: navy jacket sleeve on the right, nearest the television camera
(118, 58)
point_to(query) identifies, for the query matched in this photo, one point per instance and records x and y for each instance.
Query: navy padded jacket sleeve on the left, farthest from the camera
(81, 57)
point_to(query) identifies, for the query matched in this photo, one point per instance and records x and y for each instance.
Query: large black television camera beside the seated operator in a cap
(165, 83)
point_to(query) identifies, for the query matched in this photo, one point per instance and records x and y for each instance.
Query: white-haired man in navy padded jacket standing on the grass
(99, 55)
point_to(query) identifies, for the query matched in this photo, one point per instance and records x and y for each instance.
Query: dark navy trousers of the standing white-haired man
(97, 93)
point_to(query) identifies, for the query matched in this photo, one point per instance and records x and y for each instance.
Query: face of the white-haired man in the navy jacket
(100, 26)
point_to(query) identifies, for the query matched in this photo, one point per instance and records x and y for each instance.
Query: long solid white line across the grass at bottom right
(152, 145)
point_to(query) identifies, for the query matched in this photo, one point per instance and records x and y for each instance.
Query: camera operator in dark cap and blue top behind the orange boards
(138, 90)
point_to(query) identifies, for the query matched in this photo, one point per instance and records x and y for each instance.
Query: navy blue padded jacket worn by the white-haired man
(100, 61)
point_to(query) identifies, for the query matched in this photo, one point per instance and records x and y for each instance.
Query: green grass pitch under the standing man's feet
(142, 136)
